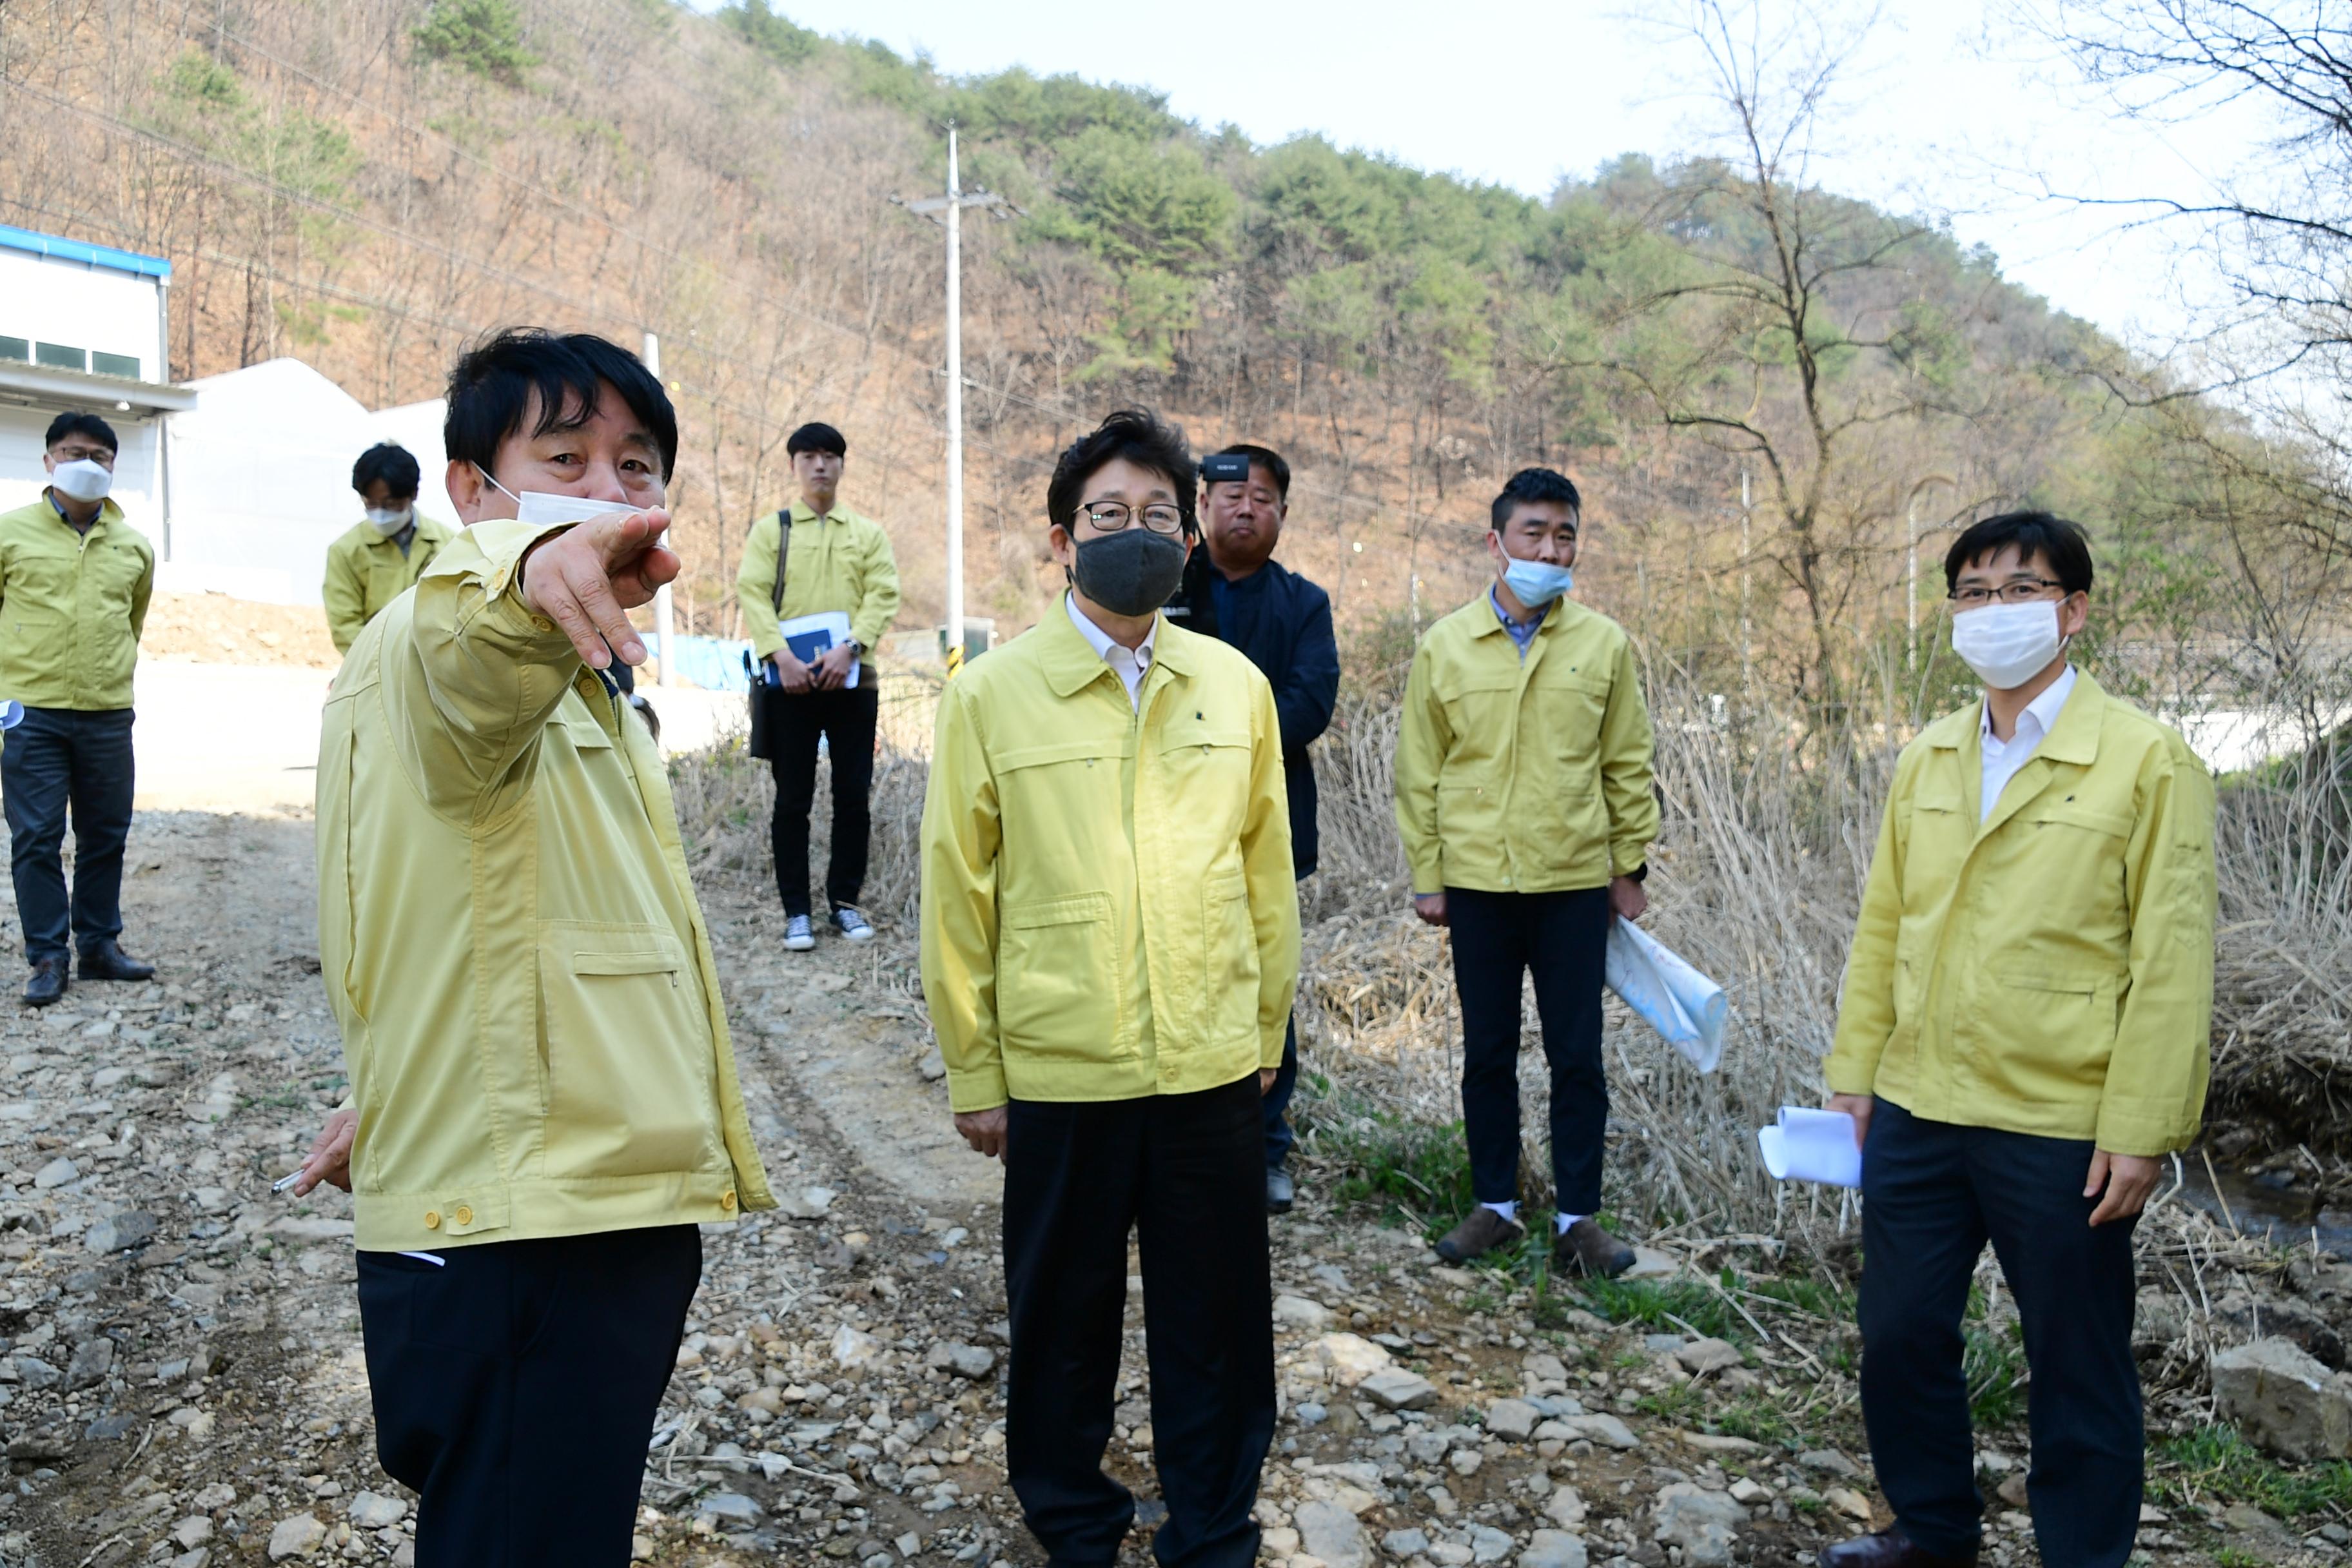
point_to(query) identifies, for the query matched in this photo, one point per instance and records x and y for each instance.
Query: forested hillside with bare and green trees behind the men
(375, 182)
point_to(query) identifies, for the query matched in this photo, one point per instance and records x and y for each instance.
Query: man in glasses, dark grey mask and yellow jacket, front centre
(1109, 949)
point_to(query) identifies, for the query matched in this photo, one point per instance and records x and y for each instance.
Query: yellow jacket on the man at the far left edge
(72, 608)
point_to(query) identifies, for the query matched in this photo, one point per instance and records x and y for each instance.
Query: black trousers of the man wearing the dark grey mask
(1189, 1177)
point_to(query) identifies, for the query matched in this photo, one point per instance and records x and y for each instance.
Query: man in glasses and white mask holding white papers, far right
(2022, 1038)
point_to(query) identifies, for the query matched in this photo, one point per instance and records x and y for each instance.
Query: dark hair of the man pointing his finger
(490, 391)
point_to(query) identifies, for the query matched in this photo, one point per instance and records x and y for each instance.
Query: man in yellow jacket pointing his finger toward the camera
(544, 1097)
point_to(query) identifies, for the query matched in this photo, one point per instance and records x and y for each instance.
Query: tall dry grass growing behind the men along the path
(1756, 880)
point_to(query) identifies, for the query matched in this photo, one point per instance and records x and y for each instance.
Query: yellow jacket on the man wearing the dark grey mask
(1107, 892)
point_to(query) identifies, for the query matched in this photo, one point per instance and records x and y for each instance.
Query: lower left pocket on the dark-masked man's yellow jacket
(1060, 979)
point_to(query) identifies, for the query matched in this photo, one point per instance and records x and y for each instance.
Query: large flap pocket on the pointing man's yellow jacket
(629, 1059)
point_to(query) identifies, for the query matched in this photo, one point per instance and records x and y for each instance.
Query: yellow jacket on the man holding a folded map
(1525, 775)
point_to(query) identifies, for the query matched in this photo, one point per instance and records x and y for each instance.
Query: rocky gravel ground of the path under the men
(185, 1386)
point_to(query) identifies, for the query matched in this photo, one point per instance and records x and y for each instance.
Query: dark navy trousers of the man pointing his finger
(516, 1388)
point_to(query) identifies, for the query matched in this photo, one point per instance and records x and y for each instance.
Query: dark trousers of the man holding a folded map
(1563, 939)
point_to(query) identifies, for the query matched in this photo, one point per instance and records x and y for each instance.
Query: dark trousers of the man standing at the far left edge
(62, 763)
